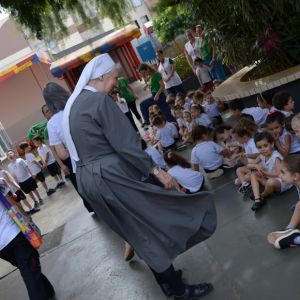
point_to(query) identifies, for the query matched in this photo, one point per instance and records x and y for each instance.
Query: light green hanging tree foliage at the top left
(45, 18)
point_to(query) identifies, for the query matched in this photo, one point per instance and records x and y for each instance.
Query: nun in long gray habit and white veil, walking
(126, 189)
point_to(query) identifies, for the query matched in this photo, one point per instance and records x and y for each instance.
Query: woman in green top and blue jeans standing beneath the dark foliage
(208, 53)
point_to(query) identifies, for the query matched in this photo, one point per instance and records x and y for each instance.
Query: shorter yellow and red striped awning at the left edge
(29, 61)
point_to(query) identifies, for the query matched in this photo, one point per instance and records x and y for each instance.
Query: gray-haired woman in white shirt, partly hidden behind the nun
(56, 97)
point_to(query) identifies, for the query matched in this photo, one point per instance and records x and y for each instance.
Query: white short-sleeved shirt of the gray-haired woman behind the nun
(55, 130)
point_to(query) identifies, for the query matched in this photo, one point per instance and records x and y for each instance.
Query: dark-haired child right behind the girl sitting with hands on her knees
(285, 142)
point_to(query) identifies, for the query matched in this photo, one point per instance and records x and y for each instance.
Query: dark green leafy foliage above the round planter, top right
(237, 26)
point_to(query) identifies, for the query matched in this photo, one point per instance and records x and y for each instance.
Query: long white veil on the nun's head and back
(97, 67)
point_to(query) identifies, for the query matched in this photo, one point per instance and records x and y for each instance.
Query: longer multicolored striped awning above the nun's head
(103, 45)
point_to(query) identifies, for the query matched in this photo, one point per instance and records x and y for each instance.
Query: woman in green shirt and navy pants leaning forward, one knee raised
(156, 84)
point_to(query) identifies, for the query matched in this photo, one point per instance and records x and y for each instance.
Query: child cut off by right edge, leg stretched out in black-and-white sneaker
(289, 174)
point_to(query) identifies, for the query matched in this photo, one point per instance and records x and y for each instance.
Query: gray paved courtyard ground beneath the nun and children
(240, 263)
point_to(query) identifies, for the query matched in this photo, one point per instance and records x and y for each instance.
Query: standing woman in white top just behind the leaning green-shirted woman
(171, 79)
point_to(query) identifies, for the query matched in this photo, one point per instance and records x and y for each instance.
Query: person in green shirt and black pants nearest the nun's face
(128, 93)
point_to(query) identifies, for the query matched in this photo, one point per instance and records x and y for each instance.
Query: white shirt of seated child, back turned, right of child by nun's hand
(207, 154)
